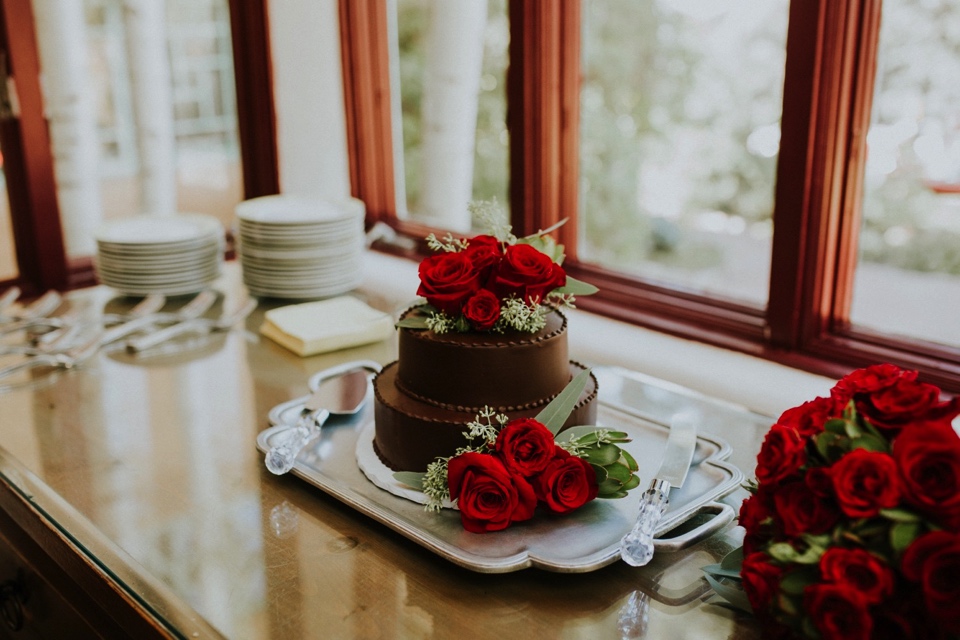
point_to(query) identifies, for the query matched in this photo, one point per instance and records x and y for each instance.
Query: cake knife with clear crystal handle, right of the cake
(636, 548)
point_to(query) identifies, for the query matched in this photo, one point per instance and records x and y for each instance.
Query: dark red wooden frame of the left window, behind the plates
(41, 256)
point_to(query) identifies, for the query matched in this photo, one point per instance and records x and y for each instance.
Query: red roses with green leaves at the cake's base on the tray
(509, 467)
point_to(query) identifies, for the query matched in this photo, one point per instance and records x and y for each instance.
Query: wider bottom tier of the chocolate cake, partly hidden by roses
(410, 434)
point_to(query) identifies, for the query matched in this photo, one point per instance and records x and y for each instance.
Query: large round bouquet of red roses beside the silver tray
(853, 523)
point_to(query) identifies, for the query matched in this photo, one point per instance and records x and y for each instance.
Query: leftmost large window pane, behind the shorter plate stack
(142, 110)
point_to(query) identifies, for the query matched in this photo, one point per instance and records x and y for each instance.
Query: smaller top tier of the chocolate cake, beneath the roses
(456, 370)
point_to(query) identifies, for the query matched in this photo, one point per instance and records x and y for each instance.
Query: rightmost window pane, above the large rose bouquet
(908, 276)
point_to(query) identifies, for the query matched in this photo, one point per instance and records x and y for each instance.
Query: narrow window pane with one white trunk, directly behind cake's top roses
(451, 71)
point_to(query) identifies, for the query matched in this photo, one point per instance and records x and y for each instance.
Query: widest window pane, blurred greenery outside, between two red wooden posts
(680, 131)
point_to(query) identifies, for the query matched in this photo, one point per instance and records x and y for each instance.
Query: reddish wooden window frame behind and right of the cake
(830, 70)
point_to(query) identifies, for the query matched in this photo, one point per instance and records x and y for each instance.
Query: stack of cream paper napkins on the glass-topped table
(326, 325)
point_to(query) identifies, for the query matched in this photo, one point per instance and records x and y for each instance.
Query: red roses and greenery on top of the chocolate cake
(492, 282)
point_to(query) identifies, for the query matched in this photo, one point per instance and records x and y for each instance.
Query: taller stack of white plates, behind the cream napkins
(301, 248)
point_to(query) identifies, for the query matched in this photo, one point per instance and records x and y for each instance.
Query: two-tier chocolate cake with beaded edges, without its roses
(442, 380)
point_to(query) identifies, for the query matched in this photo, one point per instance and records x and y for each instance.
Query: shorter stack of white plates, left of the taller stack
(172, 255)
